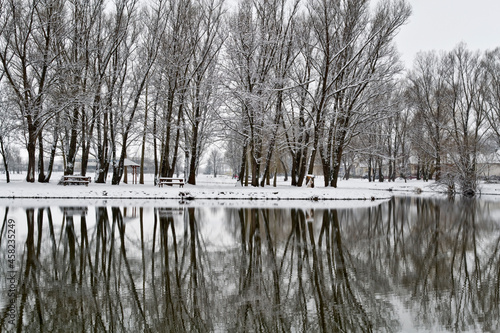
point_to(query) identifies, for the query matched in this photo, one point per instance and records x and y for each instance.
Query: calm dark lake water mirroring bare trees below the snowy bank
(406, 265)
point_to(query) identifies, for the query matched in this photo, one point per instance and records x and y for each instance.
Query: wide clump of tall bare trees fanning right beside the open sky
(346, 62)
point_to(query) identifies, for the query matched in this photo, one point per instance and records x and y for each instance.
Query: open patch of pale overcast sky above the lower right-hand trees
(442, 24)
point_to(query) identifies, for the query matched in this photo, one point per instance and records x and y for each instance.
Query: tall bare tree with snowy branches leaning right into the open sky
(362, 65)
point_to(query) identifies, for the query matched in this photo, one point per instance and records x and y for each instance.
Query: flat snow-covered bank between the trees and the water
(221, 188)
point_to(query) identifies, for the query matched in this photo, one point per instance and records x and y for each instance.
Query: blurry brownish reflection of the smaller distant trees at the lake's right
(442, 256)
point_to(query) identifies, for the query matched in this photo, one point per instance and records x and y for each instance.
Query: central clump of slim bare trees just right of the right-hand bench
(260, 53)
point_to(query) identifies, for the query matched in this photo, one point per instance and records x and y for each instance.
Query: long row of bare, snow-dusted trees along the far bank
(282, 85)
